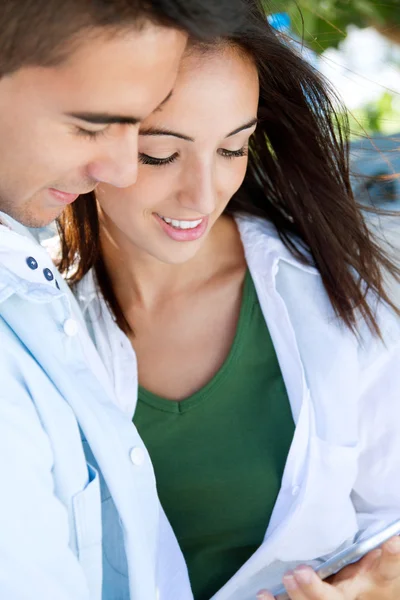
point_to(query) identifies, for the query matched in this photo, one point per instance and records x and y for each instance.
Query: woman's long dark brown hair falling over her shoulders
(297, 178)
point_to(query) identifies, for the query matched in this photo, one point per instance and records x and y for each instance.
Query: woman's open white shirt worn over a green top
(342, 474)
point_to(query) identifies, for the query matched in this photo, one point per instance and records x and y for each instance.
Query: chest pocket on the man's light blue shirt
(86, 506)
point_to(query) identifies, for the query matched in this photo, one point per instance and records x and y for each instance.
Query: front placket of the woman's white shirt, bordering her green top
(291, 493)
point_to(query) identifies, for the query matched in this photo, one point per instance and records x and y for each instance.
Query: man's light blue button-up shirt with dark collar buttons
(79, 514)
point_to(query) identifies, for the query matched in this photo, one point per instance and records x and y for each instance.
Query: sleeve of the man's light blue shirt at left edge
(35, 558)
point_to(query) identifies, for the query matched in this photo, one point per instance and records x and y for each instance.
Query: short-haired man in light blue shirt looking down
(76, 79)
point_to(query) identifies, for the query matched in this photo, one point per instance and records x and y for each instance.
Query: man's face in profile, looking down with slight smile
(64, 129)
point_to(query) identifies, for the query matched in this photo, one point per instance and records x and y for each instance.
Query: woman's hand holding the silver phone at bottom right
(375, 577)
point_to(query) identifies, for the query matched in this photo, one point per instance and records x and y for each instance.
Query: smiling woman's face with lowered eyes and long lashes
(192, 159)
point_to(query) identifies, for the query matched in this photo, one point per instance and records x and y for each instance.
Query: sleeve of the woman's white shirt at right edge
(376, 493)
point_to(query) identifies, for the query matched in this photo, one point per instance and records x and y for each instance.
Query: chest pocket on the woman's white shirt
(325, 515)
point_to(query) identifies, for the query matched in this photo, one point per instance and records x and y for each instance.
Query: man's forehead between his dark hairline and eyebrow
(124, 89)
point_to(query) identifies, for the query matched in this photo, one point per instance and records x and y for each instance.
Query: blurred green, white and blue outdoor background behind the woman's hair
(355, 44)
